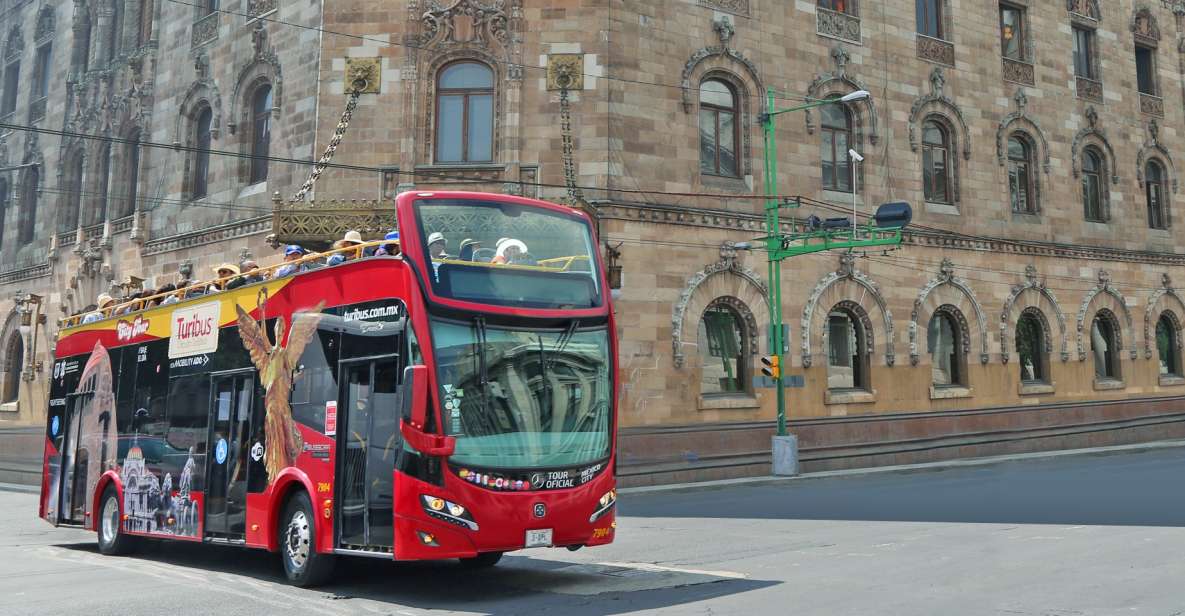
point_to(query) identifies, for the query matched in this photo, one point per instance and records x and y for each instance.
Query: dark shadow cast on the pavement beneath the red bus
(520, 585)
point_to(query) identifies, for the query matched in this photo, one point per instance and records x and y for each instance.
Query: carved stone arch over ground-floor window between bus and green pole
(728, 278)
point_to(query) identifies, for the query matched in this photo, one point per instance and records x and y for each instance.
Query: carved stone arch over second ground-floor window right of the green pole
(949, 291)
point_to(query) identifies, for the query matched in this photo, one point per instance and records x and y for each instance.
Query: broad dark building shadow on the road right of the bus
(1139, 489)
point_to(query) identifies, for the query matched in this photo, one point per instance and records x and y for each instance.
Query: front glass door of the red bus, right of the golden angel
(368, 442)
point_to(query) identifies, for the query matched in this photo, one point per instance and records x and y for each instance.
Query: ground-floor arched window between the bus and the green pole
(722, 350)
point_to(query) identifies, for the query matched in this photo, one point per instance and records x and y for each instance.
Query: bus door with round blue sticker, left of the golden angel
(230, 435)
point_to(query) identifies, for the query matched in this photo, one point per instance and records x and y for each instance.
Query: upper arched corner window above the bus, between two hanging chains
(465, 113)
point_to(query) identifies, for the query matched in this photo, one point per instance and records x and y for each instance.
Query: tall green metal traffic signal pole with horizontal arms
(780, 247)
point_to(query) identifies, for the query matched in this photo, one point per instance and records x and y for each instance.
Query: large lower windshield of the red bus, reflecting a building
(524, 399)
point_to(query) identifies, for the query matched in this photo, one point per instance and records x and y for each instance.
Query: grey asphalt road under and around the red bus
(1069, 536)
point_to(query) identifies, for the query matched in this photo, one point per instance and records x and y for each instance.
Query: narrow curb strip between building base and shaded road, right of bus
(905, 469)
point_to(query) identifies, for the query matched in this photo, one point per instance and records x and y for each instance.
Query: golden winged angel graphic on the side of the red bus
(277, 364)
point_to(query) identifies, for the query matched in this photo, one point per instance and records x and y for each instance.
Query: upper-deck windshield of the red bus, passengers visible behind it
(508, 254)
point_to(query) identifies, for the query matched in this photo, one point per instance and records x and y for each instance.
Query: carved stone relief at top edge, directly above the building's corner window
(465, 23)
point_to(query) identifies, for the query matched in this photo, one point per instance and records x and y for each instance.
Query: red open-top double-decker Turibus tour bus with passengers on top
(434, 405)
